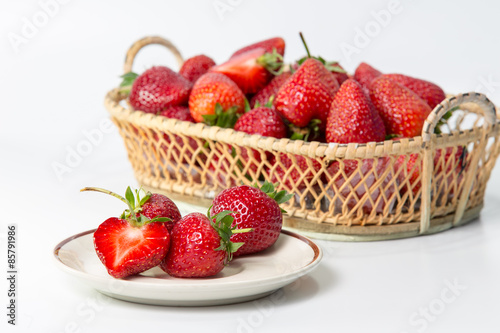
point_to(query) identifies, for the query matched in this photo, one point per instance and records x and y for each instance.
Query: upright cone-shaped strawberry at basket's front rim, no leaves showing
(353, 117)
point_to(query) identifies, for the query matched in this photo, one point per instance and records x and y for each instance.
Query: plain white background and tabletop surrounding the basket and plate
(52, 92)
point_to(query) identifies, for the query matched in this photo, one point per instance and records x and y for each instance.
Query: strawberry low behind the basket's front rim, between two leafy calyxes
(264, 121)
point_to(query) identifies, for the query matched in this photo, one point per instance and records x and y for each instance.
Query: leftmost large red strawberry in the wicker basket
(158, 88)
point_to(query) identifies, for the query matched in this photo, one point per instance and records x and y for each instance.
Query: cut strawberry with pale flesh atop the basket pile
(253, 69)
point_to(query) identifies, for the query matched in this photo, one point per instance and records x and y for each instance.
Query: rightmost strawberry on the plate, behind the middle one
(253, 208)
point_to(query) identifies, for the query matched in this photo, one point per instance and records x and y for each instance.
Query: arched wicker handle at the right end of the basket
(490, 118)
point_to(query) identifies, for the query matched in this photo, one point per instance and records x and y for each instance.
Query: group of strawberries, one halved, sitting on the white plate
(151, 232)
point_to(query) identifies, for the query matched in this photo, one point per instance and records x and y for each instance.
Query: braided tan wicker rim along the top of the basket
(313, 149)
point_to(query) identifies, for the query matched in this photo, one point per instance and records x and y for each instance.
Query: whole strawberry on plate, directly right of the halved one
(199, 246)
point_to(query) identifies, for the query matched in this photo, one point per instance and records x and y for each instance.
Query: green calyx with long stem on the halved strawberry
(134, 202)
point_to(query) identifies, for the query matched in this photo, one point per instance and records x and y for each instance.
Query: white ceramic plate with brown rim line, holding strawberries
(245, 278)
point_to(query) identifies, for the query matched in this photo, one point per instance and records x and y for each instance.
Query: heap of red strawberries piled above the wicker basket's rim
(311, 99)
